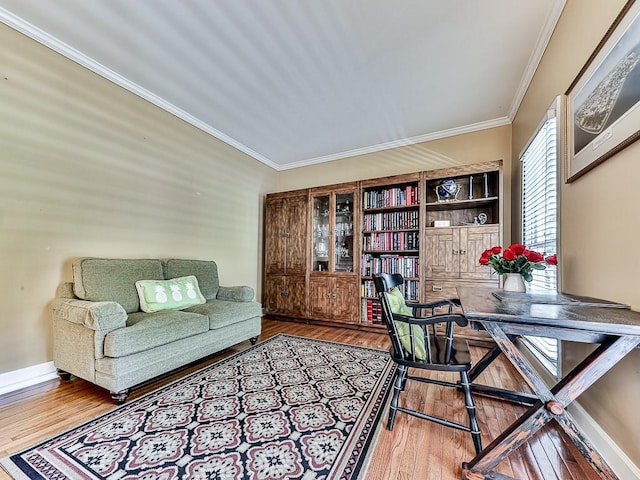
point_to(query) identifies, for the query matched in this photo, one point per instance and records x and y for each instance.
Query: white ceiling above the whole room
(299, 82)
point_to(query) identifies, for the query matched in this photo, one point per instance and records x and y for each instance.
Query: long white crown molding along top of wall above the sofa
(74, 55)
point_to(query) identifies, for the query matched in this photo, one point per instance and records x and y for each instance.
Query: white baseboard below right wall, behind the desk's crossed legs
(612, 454)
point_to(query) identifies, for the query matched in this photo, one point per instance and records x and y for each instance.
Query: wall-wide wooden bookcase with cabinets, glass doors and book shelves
(322, 245)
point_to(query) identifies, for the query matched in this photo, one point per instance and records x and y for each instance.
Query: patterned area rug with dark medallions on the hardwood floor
(287, 408)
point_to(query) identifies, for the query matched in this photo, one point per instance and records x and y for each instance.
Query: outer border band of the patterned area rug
(16, 473)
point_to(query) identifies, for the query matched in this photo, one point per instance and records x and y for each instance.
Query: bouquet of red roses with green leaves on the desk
(516, 259)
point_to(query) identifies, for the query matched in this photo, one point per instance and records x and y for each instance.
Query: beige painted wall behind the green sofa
(89, 169)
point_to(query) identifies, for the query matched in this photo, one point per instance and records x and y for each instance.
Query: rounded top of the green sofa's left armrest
(97, 316)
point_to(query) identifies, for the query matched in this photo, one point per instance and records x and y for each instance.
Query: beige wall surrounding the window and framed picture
(600, 223)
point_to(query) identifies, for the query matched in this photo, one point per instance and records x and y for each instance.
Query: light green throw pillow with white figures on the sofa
(173, 294)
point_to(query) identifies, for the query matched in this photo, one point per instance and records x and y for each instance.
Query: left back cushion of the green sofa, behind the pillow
(102, 279)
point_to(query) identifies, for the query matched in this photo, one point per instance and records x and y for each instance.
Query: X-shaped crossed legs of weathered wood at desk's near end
(551, 404)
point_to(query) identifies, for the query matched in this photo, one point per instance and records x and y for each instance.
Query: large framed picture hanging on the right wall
(602, 113)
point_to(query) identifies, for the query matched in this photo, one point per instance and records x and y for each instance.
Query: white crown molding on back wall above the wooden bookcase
(475, 127)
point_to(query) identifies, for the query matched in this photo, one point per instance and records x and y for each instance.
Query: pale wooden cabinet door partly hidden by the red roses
(474, 241)
